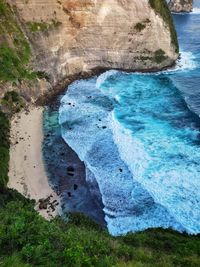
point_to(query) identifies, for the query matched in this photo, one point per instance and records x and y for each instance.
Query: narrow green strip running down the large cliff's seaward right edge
(161, 7)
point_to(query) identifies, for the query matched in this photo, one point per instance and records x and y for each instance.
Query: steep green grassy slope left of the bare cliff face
(15, 52)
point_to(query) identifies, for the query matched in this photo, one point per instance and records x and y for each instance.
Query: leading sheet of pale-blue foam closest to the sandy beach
(128, 205)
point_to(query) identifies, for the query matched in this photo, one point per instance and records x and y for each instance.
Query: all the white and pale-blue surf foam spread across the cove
(143, 194)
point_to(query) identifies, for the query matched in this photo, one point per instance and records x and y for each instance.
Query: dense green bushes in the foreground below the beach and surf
(29, 240)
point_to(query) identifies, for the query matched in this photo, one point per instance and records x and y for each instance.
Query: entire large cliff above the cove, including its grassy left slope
(58, 39)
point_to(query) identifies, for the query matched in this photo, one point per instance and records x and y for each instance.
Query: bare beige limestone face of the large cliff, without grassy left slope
(68, 37)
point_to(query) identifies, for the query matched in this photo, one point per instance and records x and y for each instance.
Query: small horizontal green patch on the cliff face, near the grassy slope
(42, 26)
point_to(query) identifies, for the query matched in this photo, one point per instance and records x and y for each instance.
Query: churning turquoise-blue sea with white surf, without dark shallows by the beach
(139, 136)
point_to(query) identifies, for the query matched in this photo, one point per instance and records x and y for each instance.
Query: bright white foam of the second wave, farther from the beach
(163, 182)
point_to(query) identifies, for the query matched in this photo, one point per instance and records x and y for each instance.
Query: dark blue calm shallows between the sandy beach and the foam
(66, 172)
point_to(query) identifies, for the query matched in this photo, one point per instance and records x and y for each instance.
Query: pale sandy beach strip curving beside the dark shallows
(26, 171)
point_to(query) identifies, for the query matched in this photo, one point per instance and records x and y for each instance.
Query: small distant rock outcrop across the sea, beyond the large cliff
(181, 5)
